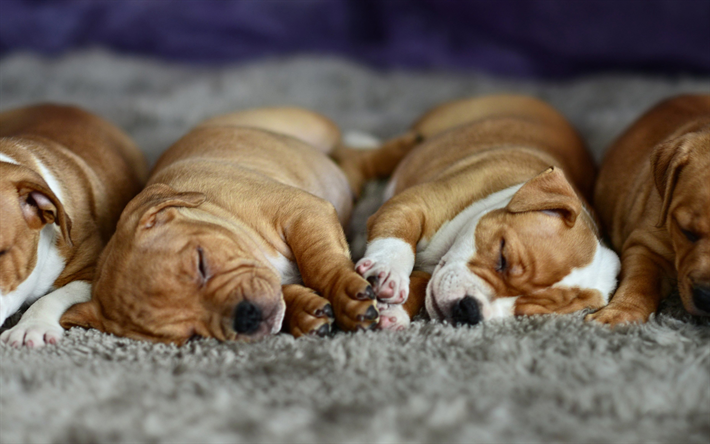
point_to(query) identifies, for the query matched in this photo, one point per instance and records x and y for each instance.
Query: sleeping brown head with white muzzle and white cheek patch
(539, 246)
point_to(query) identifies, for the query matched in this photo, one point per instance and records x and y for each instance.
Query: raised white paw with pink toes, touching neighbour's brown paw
(387, 265)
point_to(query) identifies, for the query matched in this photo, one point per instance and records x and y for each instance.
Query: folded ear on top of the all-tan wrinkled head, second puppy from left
(158, 197)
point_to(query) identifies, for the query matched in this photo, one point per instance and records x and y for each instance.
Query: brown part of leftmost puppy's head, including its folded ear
(28, 206)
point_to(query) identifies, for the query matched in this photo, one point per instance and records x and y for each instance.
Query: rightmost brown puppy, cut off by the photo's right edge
(653, 195)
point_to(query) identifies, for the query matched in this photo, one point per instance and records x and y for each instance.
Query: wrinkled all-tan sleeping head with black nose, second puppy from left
(172, 271)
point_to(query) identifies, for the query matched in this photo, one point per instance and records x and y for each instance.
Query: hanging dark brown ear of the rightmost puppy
(667, 160)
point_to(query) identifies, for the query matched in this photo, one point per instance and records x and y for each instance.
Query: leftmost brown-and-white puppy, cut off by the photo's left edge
(65, 177)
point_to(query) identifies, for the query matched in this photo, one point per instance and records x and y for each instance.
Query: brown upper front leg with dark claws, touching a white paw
(317, 241)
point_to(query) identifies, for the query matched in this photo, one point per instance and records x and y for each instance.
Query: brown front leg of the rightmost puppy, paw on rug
(639, 292)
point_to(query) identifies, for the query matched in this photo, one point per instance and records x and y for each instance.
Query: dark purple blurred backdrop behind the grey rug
(524, 38)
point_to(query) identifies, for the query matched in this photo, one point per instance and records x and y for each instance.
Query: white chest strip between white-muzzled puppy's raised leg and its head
(455, 237)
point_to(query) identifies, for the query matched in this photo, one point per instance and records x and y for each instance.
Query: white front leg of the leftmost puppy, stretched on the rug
(40, 323)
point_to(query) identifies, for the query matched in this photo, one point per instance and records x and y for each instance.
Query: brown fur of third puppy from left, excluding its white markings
(472, 148)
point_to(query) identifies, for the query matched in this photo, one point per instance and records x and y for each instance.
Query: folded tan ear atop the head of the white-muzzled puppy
(548, 191)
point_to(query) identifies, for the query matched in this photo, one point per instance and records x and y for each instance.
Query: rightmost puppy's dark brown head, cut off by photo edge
(681, 169)
